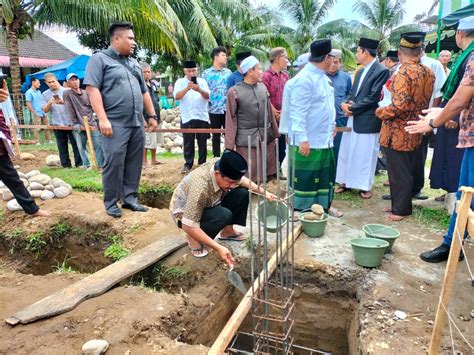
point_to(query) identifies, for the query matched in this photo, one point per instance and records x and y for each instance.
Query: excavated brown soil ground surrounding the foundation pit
(179, 305)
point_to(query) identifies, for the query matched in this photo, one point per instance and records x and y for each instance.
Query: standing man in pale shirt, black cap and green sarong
(311, 125)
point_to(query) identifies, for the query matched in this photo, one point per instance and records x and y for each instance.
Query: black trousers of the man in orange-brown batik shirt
(401, 170)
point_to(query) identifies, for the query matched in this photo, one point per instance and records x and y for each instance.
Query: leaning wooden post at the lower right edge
(451, 266)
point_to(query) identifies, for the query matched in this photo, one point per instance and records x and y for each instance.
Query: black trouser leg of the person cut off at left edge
(11, 179)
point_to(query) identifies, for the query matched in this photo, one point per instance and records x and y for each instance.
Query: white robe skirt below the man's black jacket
(357, 159)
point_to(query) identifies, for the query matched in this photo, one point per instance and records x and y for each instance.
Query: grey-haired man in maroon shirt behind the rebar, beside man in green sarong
(274, 79)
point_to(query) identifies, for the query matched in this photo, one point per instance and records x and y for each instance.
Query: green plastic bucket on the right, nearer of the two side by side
(368, 252)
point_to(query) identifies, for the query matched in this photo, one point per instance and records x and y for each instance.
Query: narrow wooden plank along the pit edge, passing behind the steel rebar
(243, 308)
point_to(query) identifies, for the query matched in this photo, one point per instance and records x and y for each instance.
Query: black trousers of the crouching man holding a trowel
(232, 210)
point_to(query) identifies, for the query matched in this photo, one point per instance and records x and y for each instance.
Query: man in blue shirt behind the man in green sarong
(342, 85)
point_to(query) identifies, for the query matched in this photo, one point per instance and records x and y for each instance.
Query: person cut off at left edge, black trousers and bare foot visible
(8, 173)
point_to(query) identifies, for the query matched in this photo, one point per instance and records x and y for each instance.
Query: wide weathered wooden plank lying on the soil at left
(97, 283)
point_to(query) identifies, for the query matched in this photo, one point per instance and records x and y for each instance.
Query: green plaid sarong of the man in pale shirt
(314, 177)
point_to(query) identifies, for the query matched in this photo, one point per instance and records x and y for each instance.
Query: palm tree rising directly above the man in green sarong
(308, 15)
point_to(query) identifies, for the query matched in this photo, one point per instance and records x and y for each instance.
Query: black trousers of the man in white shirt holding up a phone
(188, 143)
